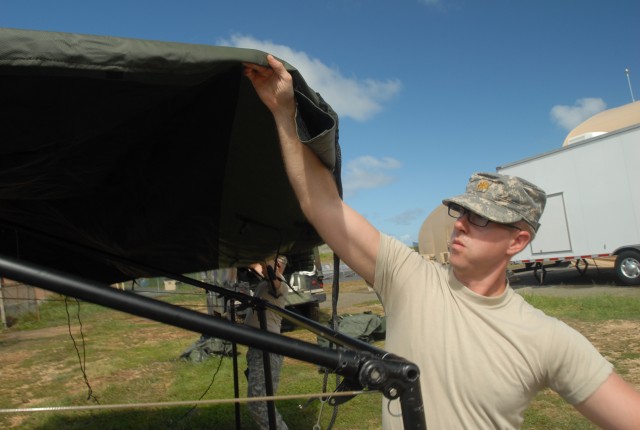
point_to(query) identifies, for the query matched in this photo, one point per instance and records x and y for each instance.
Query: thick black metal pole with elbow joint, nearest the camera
(395, 377)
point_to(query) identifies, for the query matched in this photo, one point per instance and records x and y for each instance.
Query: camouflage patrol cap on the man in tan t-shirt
(502, 198)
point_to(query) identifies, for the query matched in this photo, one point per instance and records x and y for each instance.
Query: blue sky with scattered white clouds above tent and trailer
(428, 91)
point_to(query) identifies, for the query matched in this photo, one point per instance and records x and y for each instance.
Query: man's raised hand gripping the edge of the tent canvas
(274, 86)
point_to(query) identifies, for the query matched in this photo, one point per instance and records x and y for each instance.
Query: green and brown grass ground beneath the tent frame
(134, 360)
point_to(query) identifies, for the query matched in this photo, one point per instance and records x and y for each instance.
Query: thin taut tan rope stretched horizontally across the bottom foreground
(181, 403)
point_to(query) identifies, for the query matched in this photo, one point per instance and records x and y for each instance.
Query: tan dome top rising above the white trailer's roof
(604, 122)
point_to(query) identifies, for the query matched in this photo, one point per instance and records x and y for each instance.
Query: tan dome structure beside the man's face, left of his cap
(434, 235)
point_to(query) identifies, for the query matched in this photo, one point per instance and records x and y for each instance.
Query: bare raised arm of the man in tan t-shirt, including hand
(348, 234)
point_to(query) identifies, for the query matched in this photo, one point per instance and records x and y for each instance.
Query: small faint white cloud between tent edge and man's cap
(367, 172)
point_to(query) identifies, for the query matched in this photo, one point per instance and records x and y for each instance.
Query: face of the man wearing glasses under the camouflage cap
(474, 251)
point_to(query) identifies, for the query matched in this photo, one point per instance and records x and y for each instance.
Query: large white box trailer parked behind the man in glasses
(593, 202)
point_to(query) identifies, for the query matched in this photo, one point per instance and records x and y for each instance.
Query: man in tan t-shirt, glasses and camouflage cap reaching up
(483, 352)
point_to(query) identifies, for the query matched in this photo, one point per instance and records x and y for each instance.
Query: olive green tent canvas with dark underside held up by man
(157, 153)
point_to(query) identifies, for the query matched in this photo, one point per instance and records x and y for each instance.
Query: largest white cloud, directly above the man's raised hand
(349, 97)
